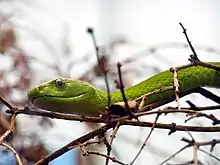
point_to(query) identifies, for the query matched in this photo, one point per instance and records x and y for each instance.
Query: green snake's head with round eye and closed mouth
(61, 95)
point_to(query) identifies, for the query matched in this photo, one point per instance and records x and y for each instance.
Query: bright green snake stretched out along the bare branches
(74, 96)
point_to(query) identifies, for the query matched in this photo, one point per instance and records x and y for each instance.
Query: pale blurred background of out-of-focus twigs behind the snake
(40, 40)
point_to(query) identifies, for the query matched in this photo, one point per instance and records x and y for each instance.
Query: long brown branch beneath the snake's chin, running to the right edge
(127, 122)
